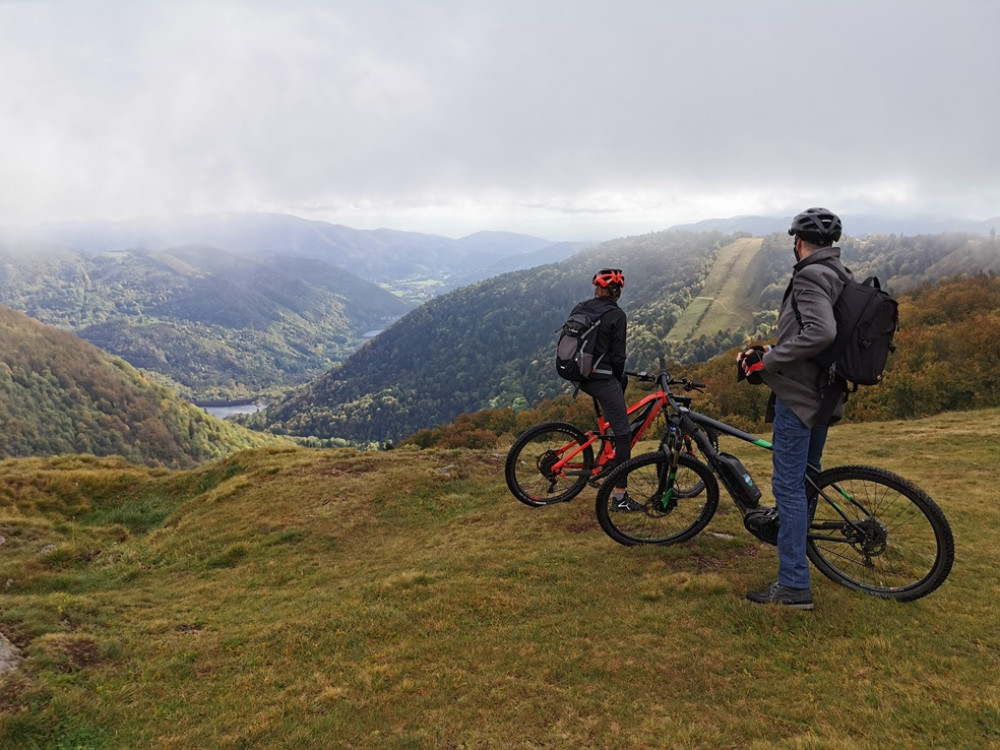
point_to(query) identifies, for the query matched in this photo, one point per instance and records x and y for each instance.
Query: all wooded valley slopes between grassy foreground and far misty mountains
(479, 357)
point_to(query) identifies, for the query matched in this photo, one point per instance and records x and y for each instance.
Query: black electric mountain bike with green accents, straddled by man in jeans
(872, 530)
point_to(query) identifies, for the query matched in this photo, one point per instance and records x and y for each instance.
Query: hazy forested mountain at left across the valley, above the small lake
(217, 325)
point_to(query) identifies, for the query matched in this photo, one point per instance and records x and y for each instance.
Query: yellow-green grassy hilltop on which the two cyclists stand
(286, 598)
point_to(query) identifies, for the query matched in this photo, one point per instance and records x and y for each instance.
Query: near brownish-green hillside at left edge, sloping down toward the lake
(59, 394)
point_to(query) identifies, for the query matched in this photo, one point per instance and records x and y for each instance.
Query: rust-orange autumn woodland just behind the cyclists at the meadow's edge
(947, 359)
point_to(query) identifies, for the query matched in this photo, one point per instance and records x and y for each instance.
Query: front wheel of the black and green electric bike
(689, 514)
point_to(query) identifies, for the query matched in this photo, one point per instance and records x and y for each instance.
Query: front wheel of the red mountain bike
(526, 474)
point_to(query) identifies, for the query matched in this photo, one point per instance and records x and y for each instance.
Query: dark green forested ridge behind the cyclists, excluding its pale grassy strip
(490, 345)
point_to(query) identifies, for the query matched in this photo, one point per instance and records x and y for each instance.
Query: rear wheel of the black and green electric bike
(905, 548)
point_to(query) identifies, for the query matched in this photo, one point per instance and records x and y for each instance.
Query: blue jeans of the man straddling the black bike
(795, 447)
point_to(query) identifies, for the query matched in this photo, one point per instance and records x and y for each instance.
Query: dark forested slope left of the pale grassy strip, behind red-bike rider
(490, 343)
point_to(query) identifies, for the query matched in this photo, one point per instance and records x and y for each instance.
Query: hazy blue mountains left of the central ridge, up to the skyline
(241, 306)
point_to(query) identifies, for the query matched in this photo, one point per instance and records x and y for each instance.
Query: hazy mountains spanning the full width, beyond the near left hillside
(262, 303)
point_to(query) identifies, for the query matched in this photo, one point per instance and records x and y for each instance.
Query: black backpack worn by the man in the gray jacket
(867, 320)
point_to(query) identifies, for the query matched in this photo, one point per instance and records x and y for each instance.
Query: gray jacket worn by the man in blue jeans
(788, 369)
